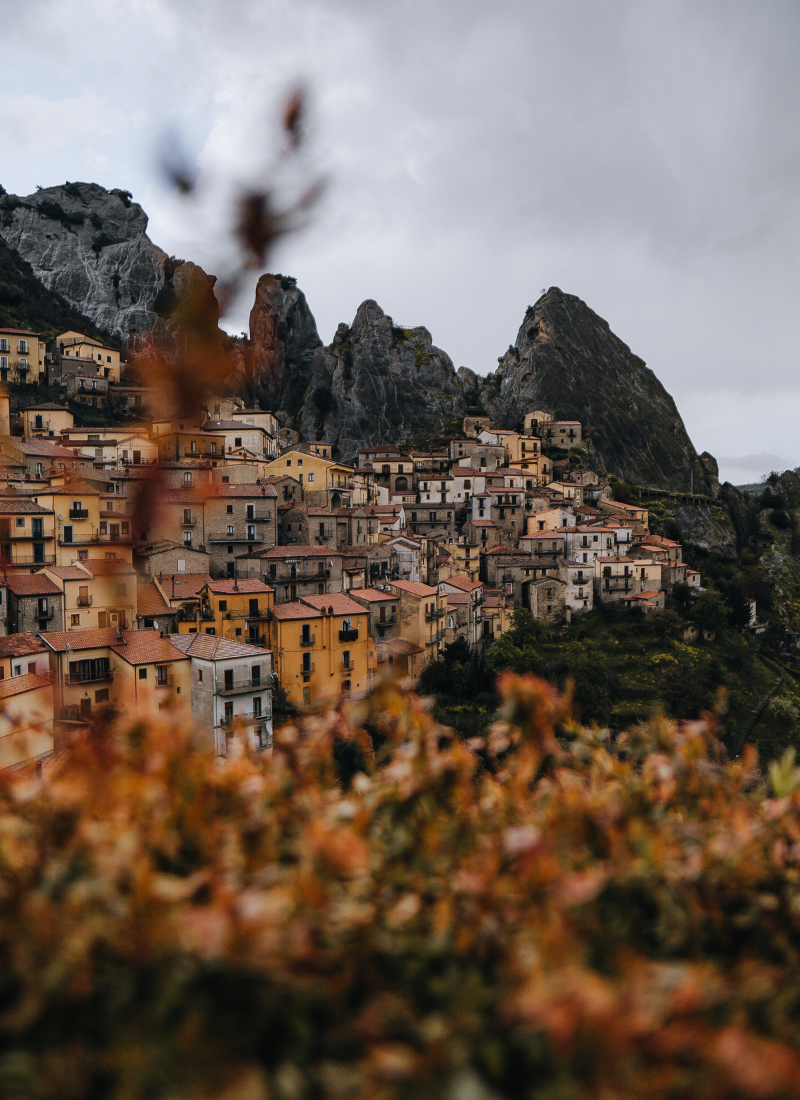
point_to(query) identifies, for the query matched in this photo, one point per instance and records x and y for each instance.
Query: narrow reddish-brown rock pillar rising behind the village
(283, 340)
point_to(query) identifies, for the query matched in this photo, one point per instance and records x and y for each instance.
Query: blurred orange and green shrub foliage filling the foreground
(542, 914)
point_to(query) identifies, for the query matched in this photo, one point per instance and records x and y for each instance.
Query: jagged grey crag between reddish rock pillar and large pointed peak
(381, 384)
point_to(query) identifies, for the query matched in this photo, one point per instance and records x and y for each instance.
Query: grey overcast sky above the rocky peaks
(644, 156)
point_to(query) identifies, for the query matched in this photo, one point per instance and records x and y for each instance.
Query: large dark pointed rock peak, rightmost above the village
(567, 361)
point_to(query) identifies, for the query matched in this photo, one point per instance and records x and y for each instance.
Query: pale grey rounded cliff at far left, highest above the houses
(91, 246)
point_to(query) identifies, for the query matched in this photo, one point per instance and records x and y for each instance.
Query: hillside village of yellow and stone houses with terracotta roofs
(218, 564)
